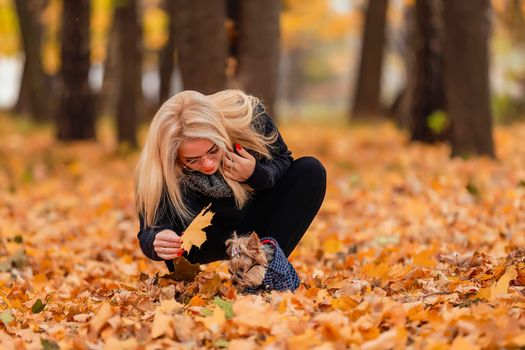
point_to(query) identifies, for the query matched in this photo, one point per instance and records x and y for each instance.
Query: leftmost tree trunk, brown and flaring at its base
(33, 90)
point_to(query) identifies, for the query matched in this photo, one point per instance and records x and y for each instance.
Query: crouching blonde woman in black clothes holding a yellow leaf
(224, 150)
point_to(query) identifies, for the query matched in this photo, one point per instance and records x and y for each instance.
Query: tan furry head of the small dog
(248, 261)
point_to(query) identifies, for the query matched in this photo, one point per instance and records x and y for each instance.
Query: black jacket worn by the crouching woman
(266, 173)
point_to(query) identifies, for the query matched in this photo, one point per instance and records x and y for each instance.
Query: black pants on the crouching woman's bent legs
(284, 212)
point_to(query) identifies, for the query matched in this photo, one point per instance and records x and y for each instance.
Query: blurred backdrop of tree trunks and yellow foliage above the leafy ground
(442, 70)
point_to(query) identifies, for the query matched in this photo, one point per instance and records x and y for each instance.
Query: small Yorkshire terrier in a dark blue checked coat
(257, 264)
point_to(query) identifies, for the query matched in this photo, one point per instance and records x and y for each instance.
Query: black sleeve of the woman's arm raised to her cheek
(268, 171)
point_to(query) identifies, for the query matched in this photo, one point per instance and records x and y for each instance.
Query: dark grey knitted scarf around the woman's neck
(209, 185)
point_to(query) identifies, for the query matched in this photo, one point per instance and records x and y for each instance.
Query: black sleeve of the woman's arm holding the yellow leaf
(167, 221)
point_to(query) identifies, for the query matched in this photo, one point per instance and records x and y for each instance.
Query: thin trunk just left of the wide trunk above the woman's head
(167, 55)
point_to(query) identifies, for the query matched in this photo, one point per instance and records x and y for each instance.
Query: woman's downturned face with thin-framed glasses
(200, 155)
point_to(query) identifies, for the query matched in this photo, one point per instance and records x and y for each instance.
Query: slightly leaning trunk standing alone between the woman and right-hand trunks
(367, 92)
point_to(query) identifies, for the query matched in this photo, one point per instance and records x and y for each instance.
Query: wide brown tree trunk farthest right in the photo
(466, 68)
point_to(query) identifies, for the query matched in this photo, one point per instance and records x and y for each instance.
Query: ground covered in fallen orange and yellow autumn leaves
(410, 250)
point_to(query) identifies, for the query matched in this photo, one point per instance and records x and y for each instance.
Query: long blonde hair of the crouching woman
(224, 118)
